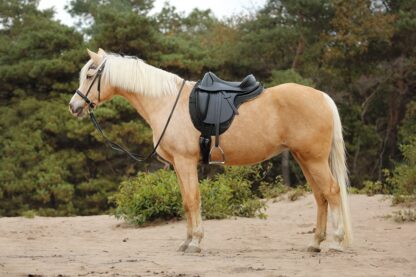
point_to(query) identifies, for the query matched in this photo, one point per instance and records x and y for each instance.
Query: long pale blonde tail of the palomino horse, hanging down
(337, 162)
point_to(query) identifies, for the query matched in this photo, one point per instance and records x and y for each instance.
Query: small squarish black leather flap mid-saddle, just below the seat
(218, 102)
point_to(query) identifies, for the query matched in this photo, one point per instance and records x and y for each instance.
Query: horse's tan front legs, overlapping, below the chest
(186, 170)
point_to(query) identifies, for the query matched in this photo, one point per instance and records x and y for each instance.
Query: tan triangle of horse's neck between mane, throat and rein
(154, 110)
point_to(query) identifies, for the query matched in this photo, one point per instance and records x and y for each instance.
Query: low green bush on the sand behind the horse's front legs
(156, 196)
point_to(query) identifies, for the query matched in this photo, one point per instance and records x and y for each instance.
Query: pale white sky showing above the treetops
(221, 8)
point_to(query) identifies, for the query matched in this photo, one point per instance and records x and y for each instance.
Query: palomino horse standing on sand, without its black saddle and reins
(288, 116)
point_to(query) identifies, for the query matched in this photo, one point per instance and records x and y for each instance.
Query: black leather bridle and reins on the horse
(108, 142)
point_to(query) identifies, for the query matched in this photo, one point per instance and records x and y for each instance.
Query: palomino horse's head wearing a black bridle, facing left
(91, 91)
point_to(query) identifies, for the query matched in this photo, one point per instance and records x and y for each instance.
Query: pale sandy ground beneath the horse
(103, 246)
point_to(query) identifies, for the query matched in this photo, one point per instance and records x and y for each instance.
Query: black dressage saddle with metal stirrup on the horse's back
(213, 103)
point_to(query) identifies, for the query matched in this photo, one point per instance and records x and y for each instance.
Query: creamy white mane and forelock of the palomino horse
(136, 76)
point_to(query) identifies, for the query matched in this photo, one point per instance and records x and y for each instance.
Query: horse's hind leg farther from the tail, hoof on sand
(322, 208)
